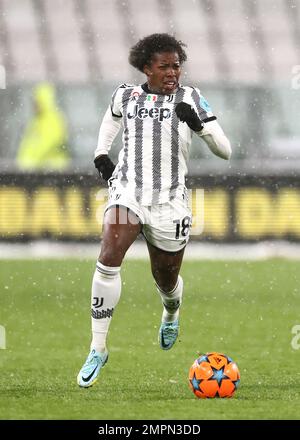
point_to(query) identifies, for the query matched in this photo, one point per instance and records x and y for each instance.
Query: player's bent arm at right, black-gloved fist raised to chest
(209, 130)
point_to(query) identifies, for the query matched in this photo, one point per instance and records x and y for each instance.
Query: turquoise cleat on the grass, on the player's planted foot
(88, 375)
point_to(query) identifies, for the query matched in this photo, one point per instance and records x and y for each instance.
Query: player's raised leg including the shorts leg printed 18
(166, 230)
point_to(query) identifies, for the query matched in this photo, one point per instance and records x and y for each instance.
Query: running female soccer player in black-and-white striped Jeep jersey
(147, 192)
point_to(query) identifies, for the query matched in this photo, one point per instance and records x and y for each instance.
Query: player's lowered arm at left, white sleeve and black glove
(109, 129)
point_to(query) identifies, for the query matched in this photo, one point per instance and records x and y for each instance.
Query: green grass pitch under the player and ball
(245, 310)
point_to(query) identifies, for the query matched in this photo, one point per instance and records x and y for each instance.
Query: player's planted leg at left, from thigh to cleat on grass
(121, 228)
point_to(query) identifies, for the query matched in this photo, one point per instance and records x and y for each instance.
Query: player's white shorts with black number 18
(165, 226)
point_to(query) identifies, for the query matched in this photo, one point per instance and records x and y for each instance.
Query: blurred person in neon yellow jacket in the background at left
(43, 146)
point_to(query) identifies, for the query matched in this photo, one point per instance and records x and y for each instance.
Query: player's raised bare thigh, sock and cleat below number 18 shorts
(165, 269)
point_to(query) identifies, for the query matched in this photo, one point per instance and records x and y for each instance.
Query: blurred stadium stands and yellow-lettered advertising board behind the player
(244, 55)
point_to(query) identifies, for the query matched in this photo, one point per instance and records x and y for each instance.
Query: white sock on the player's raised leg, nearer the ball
(171, 301)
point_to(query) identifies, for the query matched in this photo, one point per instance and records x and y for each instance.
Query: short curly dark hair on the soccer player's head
(142, 52)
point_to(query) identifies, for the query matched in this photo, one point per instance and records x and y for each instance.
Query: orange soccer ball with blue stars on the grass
(214, 375)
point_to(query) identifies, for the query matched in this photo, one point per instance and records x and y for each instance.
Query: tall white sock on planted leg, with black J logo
(106, 291)
